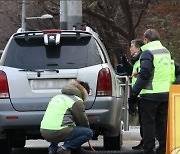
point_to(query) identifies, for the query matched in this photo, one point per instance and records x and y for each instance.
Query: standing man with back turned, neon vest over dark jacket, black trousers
(152, 86)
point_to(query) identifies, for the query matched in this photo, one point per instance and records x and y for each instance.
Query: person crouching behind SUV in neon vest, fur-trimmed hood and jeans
(65, 119)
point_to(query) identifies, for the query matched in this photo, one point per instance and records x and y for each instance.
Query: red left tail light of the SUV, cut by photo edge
(4, 90)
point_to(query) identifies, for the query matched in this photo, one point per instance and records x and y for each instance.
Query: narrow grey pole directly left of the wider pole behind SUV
(63, 14)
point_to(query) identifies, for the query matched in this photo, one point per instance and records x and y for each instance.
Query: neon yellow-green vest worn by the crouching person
(57, 112)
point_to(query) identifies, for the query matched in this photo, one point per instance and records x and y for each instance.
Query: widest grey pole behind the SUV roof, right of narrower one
(74, 13)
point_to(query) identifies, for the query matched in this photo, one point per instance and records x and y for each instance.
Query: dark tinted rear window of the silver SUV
(71, 53)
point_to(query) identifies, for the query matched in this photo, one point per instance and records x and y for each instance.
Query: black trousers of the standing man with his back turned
(154, 123)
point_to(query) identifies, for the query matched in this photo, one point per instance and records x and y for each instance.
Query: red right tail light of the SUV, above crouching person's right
(104, 85)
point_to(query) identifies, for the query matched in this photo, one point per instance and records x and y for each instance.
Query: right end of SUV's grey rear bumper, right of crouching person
(106, 115)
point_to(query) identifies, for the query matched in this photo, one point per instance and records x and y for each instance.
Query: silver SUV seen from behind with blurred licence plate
(35, 65)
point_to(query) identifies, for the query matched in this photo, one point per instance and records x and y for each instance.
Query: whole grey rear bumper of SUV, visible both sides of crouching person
(107, 119)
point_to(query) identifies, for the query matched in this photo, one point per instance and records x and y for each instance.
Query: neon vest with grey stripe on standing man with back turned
(160, 82)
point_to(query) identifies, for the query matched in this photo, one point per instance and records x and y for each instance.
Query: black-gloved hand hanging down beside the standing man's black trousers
(132, 105)
